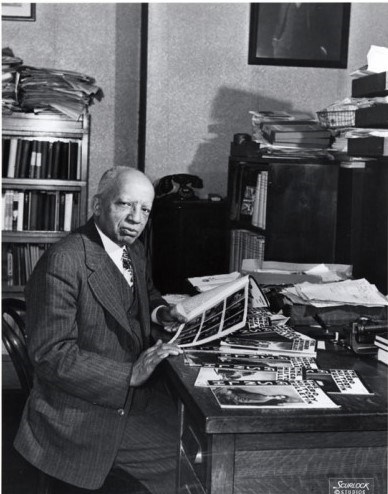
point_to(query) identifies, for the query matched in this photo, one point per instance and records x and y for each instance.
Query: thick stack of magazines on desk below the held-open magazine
(277, 339)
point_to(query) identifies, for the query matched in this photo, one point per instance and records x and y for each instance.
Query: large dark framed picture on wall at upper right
(299, 34)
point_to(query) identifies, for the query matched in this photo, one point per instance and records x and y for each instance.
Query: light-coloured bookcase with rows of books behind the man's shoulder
(44, 188)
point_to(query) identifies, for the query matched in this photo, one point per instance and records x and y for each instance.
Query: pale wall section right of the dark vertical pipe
(201, 88)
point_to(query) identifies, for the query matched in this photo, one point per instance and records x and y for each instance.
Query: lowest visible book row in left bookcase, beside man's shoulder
(19, 260)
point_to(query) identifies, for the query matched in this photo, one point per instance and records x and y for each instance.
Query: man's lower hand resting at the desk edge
(149, 359)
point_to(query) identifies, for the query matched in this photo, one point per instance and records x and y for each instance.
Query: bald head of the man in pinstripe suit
(123, 212)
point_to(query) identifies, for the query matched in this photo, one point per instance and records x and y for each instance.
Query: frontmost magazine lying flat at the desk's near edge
(270, 394)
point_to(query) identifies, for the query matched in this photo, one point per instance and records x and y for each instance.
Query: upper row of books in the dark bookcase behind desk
(254, 201)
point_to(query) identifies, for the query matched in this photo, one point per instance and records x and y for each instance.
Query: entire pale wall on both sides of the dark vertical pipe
(200, 86)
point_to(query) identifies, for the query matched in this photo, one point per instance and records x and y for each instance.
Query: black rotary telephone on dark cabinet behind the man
(178, 187)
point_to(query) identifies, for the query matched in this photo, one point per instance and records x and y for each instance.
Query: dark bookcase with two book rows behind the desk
(282, 209)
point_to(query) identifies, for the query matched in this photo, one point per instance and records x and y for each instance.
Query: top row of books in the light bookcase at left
(46, 159)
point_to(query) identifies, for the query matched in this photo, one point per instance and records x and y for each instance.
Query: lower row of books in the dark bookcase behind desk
(245, 244)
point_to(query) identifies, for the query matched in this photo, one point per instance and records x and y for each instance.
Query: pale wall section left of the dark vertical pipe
(103, 41)
